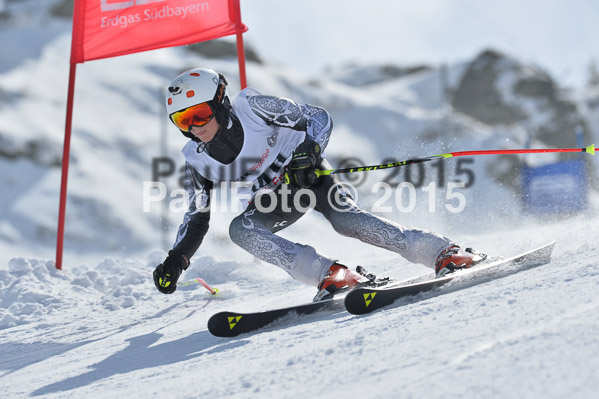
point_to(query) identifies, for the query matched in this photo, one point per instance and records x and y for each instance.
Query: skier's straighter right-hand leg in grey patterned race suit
(416, 245)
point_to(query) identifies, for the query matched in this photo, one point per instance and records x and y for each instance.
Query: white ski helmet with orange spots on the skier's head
(196, 86)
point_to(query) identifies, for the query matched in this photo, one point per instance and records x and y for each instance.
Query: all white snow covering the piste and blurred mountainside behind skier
(99, 328)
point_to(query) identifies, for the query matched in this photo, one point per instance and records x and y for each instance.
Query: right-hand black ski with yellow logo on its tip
(366, 300)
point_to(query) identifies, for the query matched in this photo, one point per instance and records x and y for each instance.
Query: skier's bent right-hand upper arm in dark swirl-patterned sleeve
(278, 111)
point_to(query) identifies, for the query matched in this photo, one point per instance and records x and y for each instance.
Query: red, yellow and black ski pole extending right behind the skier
(590, 149)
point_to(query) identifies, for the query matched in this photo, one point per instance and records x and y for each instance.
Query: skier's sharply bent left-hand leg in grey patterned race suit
(254, 231)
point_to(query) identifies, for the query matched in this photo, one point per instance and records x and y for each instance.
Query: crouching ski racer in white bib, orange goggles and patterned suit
(257, 139)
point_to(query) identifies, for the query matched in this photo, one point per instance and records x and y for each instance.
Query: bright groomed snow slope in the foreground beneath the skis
(105, 332)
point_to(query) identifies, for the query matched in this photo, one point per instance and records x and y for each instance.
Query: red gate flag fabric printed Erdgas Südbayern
(109, 28)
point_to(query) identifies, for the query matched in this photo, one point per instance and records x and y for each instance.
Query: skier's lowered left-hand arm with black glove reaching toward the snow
(191, 232)
